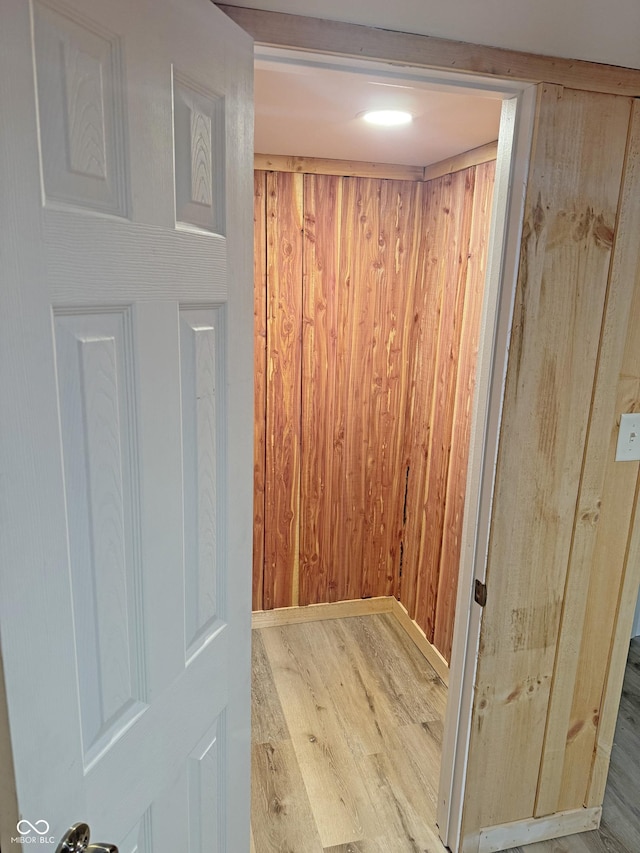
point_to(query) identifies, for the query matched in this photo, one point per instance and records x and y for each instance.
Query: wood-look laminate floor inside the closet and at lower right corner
(347, 726)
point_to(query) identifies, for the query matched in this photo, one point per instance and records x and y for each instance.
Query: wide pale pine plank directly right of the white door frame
(570, 215)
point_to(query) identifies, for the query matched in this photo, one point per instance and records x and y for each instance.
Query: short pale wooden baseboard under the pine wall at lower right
(508, 835)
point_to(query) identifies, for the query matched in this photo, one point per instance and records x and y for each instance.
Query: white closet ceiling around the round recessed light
(314, 111)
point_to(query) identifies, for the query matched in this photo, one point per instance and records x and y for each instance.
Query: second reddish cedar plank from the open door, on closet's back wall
(284, 321)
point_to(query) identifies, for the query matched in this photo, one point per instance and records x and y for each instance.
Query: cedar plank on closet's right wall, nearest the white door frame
(463, 406)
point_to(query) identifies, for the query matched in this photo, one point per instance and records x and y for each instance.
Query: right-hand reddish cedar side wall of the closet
(447, 306)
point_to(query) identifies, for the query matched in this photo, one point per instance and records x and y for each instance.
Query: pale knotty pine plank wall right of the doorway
(562, 506)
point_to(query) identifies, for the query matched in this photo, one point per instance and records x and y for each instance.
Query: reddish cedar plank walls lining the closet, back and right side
(368, 295)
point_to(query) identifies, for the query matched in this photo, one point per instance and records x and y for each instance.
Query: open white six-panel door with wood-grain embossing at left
(126, 423)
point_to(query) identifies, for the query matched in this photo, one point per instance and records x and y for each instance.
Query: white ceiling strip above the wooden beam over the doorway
(598, 30)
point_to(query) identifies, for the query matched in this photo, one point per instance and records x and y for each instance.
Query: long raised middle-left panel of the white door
(95, 380)
